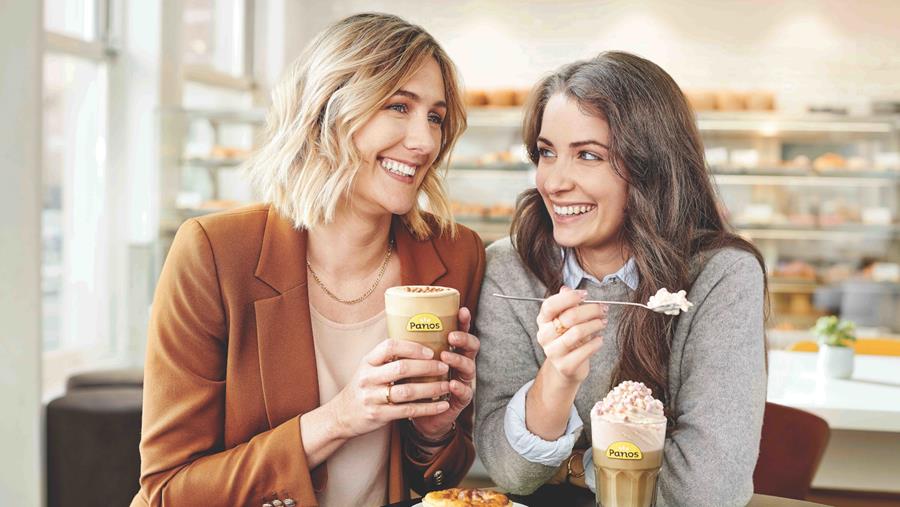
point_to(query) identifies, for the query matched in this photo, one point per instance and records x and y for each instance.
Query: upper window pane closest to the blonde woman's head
(214, 34)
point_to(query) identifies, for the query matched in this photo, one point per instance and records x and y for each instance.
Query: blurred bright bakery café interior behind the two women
(124, 118)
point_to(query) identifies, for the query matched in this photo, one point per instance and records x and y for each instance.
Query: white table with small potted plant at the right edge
(863, 413)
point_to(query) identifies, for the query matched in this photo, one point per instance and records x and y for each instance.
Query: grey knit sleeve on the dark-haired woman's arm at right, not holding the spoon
(711, 454)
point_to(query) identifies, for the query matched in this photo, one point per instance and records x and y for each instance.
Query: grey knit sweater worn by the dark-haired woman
(717, 376)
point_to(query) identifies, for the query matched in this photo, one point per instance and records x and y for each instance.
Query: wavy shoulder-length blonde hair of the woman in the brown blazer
(308, 160)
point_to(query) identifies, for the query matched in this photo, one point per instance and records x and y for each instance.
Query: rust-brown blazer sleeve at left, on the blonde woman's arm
(183, 459)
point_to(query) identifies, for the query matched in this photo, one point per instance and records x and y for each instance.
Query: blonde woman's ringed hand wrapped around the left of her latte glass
(370, 400)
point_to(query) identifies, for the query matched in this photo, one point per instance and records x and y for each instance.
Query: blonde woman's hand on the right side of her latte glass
(462, 373)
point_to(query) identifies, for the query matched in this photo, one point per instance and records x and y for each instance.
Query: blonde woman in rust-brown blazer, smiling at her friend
(268, 376)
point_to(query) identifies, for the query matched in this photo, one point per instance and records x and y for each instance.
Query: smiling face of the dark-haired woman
(583, 194)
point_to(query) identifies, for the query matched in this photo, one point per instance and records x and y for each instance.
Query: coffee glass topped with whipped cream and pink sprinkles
(628, 431)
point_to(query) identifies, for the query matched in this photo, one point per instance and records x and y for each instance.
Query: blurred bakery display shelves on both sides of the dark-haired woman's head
(817, 194)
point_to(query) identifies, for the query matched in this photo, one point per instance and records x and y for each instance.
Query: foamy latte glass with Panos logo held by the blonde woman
(425, 314)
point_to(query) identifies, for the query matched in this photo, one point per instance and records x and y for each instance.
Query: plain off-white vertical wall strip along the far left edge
(21, 428)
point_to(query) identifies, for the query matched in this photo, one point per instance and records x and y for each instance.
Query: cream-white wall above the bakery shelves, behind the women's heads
(827, 51)
